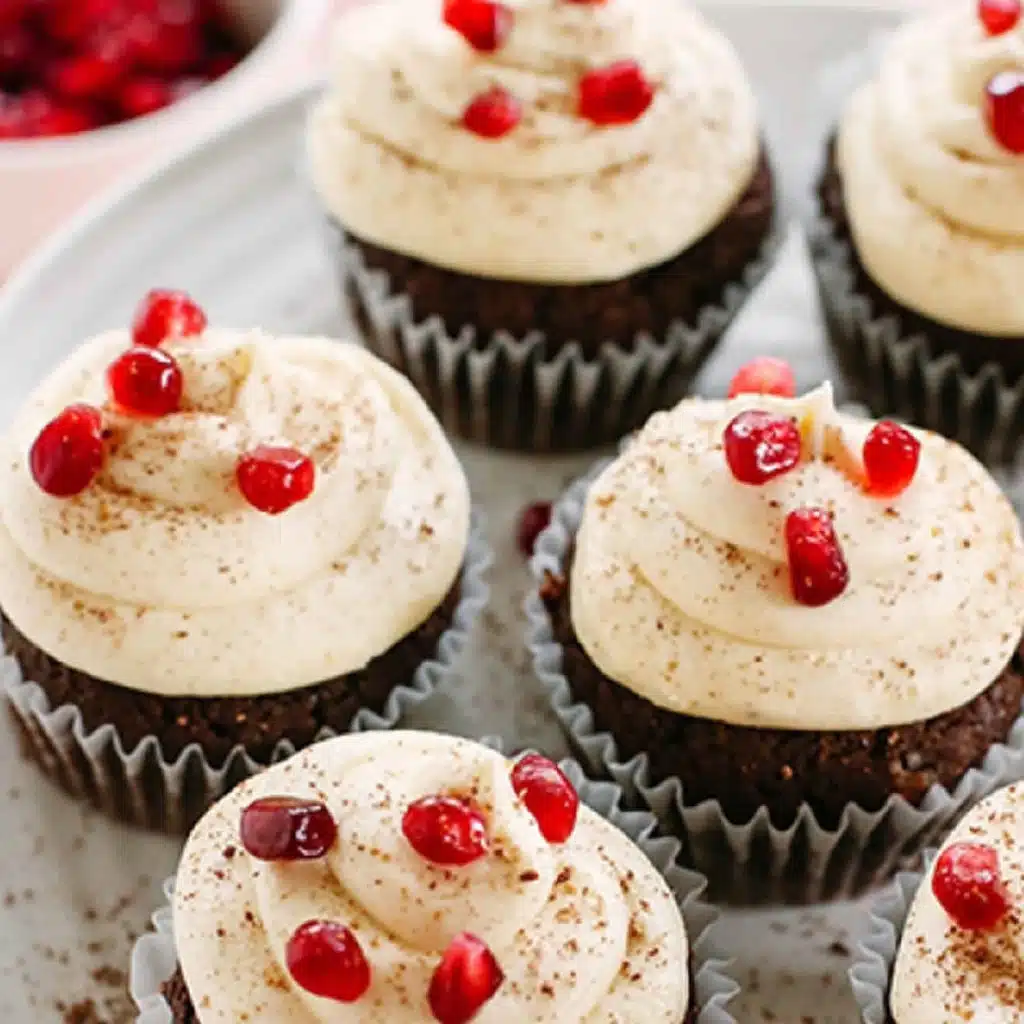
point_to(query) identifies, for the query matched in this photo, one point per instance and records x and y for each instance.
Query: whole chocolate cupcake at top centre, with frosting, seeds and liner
(545, 214)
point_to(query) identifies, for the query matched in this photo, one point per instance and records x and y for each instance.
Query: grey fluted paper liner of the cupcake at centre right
(754, 862)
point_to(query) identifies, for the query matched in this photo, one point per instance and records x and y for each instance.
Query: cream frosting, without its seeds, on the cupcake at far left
(161, 578)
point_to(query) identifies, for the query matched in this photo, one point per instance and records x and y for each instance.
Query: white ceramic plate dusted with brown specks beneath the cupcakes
(233, 223)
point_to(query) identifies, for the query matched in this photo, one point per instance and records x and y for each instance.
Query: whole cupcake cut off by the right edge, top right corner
(920, 251)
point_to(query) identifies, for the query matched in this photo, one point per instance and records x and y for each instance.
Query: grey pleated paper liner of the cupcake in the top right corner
(902, 376)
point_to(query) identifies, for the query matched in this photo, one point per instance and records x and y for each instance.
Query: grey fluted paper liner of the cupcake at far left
(143, 788)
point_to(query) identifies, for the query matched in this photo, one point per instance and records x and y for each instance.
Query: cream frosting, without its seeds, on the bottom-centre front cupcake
(587, 931)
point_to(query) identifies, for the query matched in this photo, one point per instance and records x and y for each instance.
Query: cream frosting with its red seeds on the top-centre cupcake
(545, 141)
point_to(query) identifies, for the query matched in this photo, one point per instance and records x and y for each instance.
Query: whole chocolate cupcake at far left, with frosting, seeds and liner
(215, 547)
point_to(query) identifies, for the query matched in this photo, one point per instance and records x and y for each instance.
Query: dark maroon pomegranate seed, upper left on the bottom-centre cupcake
(286, 829)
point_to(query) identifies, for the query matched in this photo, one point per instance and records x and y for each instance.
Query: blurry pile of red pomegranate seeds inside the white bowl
(70, 66)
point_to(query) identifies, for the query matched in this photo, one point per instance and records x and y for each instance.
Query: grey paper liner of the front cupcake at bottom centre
(155, 960)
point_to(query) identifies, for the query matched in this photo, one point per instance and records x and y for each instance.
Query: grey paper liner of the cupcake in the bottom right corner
(871, 973)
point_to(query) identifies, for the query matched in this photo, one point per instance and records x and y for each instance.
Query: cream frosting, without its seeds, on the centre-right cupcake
(680, 585)
